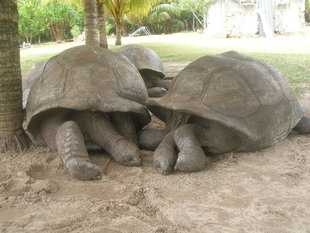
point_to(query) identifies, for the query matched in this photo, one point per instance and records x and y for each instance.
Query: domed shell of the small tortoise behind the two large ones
(143, 58)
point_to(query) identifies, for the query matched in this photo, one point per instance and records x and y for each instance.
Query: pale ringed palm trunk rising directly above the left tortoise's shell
(90, 21)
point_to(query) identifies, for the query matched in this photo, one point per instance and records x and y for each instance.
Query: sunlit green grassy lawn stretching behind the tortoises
(291, 55)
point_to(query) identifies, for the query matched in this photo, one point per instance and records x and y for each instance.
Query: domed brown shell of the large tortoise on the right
(237, 91)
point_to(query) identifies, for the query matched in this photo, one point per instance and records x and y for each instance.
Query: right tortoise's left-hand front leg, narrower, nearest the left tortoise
(165, 155)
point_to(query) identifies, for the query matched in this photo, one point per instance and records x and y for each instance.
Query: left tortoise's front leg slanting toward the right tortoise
(102, 132)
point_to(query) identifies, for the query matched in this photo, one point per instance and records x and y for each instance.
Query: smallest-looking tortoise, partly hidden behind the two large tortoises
(150, 67)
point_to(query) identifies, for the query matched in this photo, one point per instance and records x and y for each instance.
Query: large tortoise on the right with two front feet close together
(224, 103)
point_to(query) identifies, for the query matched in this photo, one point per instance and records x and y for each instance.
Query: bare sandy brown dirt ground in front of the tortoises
(265, 191)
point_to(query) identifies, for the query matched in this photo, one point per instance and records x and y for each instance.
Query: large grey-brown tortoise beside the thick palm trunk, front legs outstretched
(92, 93)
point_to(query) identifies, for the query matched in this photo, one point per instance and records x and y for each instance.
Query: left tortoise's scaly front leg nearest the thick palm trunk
(72, 151)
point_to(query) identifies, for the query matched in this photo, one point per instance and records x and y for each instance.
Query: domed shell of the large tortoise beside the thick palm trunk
(87, 78)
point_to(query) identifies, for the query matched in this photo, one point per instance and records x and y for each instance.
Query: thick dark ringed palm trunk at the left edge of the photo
(12, 136)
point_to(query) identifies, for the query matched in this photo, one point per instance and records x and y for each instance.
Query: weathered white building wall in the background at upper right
(229, 18)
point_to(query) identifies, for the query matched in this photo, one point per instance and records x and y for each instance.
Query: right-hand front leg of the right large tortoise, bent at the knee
(191, 157)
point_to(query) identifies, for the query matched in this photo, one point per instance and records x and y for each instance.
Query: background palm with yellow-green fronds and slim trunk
(133, 8)
